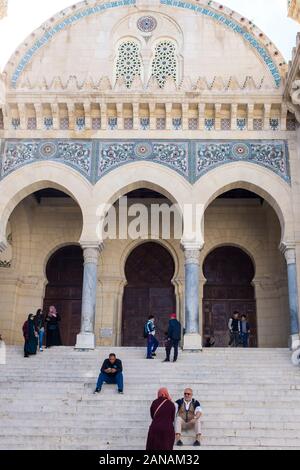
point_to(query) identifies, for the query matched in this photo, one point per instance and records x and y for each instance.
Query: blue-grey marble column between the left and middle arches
(86, 337)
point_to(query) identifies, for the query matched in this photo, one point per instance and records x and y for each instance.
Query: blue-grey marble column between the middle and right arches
(192, 338)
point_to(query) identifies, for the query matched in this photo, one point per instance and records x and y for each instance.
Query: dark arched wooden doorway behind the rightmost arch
(229, 272)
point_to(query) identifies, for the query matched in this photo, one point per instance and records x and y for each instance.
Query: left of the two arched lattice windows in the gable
(129, 62)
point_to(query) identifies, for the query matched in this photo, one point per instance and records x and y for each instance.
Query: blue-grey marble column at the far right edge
(290, 256)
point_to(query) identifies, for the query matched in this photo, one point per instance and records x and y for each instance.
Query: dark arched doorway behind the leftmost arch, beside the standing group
(64, 290)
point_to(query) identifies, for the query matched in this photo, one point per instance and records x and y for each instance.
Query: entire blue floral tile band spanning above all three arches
(189, 158)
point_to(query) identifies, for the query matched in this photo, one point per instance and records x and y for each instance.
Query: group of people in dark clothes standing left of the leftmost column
(39, 325)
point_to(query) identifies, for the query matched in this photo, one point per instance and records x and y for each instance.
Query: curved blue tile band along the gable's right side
(250, 38)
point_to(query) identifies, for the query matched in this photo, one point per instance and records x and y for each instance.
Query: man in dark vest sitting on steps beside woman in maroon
(188, 414)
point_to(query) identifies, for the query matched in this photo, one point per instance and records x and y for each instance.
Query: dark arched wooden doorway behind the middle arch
(149, 272)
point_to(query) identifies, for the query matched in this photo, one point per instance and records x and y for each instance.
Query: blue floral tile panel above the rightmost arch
(272, 155)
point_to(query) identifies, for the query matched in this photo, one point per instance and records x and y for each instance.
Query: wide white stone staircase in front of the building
(250, 399)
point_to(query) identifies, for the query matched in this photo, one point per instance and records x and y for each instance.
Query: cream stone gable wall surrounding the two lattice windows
(206, 48)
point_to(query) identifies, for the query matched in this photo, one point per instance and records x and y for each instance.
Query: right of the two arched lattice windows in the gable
(164, 64)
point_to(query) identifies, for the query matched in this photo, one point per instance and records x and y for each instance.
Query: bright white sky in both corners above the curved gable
(24, 16)
